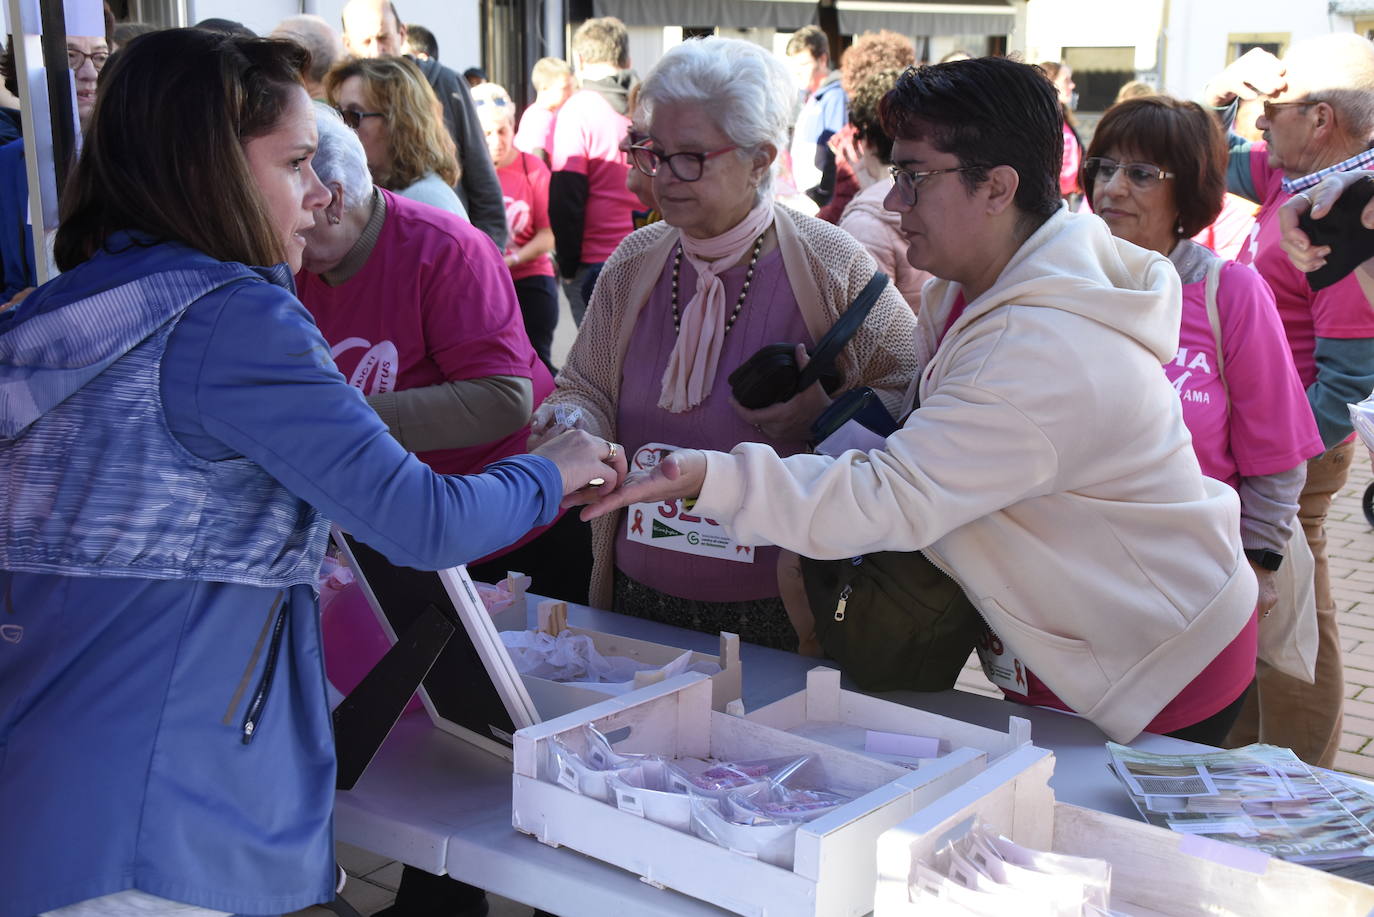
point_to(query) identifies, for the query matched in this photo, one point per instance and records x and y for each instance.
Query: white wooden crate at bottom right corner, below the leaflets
(1152, 876)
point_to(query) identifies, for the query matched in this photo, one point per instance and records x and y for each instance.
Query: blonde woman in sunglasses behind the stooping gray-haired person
(402, 127)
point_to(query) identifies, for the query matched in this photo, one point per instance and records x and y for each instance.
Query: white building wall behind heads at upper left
(455, 24)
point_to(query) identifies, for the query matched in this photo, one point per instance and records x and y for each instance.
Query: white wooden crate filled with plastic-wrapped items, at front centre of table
(833, 870)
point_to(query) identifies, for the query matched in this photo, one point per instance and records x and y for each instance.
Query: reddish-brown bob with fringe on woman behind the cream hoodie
(1178, 137)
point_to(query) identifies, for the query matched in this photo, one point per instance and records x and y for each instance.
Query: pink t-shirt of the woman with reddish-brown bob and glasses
(1269, 427)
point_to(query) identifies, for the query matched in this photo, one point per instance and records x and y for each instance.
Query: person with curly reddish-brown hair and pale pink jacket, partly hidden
(877, 229)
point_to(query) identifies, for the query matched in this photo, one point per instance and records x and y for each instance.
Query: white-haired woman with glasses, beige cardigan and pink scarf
(682, 303)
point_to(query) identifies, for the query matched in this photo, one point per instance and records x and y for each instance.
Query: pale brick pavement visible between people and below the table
(1351, 549)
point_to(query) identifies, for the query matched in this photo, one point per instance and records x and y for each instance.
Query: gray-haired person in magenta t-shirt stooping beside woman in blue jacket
(421, 317)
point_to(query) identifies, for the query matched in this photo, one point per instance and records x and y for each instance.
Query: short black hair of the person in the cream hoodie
(987, 112)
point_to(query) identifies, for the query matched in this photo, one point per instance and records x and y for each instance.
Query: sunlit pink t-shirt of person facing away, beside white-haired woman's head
(587, 135)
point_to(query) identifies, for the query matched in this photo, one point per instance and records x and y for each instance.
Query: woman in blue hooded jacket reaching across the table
(174, 437)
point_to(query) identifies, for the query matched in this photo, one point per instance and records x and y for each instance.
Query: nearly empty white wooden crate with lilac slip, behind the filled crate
(828, 713)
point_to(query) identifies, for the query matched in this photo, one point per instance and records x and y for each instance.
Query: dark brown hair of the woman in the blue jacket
(152, 174)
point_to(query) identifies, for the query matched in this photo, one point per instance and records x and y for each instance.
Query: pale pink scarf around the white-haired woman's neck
(692, 368)
